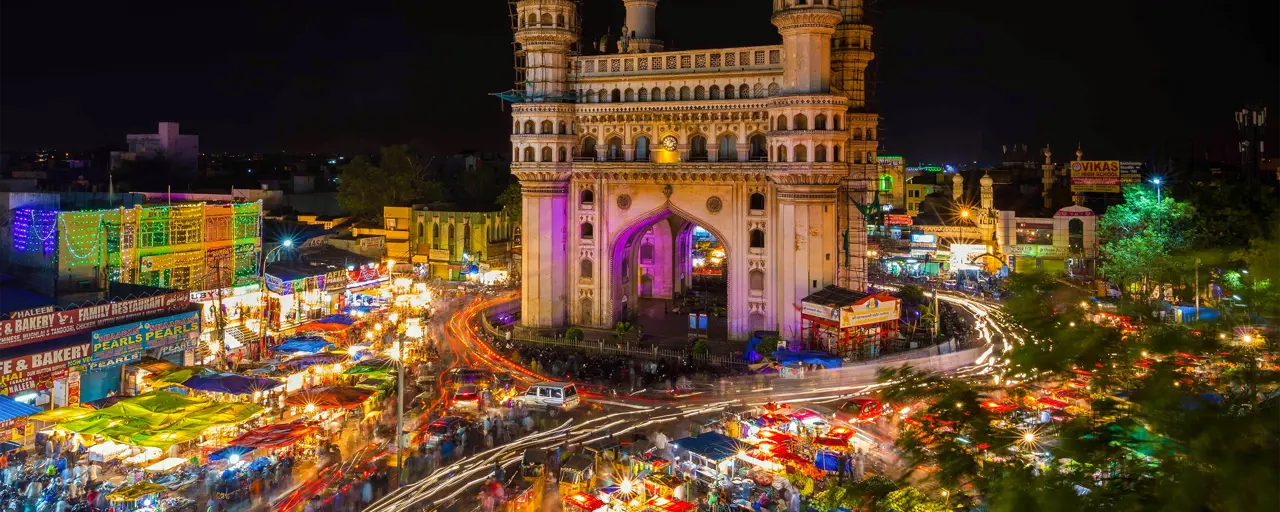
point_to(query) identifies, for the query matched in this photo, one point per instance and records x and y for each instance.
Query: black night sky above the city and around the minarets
(1128, 79)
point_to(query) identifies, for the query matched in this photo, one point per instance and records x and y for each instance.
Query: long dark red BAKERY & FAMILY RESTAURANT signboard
(57, 324)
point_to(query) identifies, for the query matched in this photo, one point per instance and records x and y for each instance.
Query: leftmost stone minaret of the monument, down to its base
(541, 144)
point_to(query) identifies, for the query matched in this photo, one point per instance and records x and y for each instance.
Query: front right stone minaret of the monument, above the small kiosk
(810, 141)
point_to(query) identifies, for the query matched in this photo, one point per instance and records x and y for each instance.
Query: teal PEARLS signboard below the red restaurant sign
(126, 344)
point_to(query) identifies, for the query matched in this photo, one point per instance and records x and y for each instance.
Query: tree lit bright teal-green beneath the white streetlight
(1145, 243)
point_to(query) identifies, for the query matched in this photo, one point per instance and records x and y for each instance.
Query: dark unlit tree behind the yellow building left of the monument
(399, 180)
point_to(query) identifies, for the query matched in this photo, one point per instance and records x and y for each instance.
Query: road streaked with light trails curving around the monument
(455, 486)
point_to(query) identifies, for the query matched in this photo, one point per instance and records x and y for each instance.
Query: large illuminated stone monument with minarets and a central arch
(623, 154)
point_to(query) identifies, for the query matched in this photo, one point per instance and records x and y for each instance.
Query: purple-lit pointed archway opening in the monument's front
(665, 268)
